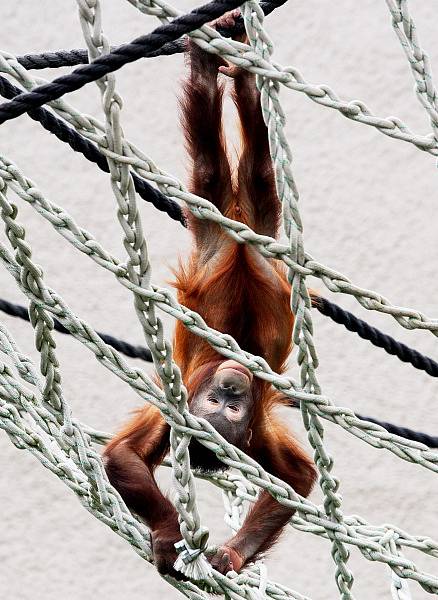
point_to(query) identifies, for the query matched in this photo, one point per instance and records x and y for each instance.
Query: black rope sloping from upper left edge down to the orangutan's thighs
(80, 144)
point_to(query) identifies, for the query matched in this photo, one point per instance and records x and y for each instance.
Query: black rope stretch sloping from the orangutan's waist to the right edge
(376, 337)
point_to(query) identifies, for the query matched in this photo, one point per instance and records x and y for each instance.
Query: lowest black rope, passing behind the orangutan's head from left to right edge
(15, 310)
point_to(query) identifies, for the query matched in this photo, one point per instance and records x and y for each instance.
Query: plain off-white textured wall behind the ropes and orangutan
(369, 206)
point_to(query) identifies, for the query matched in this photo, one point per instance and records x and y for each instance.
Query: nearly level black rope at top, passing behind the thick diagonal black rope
(71, 58)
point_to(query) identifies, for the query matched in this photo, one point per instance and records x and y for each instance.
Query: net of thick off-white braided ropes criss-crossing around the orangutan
(33, 409)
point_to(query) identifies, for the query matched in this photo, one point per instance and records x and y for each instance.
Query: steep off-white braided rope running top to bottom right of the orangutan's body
(281, 155)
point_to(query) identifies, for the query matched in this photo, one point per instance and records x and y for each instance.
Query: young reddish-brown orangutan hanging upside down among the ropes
(239, 292)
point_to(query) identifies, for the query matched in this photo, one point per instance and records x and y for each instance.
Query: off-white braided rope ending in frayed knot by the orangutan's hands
(191, 561)
